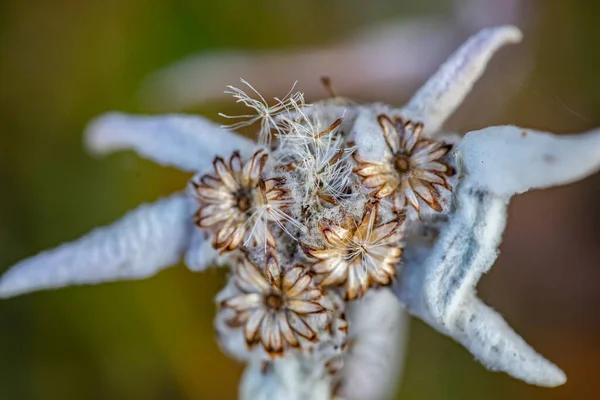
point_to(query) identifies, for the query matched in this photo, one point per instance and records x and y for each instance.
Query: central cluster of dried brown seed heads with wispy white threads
(308, 225)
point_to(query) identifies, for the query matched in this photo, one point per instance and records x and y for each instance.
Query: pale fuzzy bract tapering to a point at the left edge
(146, 240)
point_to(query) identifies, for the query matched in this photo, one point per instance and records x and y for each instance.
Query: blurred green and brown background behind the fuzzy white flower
(64, 61)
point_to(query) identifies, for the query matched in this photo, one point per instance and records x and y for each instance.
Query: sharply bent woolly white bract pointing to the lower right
(438, 285)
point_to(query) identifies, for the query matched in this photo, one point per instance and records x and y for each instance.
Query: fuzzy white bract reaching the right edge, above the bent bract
(508, 160)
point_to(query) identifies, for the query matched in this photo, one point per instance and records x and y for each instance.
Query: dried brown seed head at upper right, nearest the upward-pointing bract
(411, 167)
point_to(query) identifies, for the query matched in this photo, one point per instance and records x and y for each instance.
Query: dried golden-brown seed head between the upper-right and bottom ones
(358, 255)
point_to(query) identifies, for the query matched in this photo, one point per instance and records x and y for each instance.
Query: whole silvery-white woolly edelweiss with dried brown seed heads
(338, 219)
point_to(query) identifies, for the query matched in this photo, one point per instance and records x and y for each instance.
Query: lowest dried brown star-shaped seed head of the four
(276, 310)
